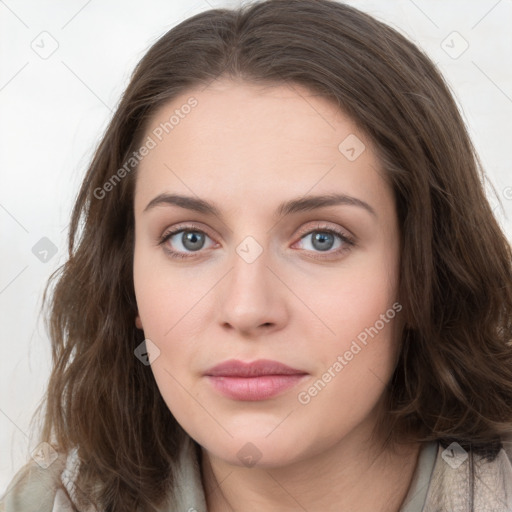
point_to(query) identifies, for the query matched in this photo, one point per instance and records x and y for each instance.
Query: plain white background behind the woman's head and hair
(54, 110)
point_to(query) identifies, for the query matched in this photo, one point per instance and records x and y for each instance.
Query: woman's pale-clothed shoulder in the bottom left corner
(38, 488)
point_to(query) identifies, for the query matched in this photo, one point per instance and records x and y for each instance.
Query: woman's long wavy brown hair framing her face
(453, 380)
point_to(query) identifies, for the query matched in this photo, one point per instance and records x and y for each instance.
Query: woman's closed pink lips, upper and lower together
(254, 381)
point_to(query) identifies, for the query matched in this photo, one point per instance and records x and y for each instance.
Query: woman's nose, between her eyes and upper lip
(252, 298)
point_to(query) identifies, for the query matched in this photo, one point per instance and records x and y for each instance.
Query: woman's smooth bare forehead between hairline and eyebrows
(254, 140)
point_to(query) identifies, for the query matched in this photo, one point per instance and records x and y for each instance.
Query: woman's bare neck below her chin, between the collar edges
(348, 476)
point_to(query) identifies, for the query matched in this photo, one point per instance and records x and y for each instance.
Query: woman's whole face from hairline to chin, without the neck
(265, 268)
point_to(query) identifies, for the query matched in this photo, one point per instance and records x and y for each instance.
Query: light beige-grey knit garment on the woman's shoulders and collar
(441, 483)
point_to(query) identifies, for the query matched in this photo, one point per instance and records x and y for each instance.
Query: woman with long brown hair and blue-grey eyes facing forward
(286, 289)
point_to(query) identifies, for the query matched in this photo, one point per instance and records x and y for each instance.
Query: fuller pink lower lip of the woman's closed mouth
(254, 388)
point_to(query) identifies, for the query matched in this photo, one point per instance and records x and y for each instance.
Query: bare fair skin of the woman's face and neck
(246, 148)
